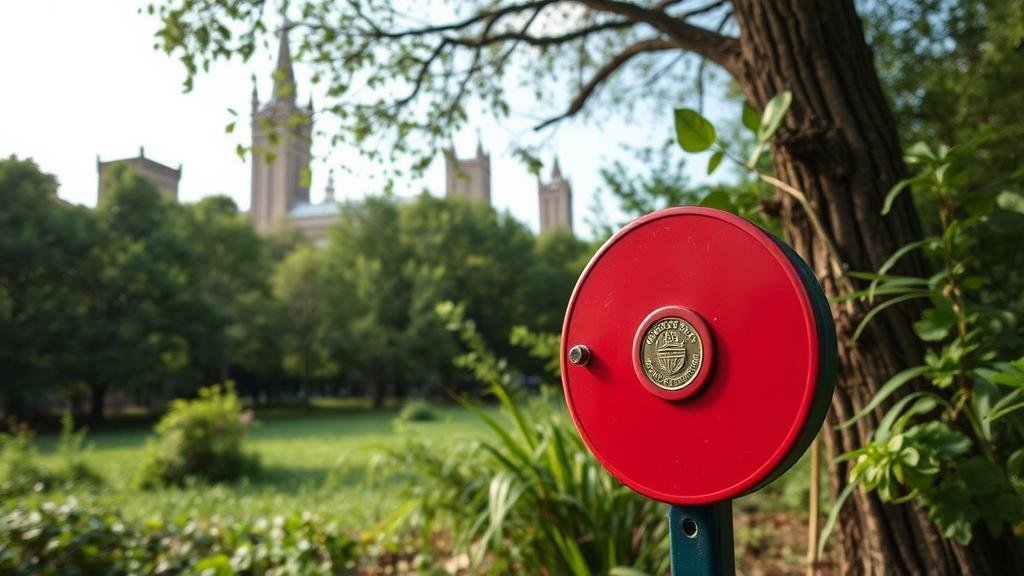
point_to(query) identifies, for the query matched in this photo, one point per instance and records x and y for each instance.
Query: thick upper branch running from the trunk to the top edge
(721, 50)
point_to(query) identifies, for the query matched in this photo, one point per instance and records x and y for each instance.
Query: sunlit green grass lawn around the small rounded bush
(313, 460)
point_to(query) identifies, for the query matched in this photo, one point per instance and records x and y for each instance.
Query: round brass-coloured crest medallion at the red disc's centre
(672, 354)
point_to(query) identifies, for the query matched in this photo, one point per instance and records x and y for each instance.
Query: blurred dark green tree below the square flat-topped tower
(145, 324)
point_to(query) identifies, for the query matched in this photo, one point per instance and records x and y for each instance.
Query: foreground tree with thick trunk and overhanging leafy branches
(839, 145)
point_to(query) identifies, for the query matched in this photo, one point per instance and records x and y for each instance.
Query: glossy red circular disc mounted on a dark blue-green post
(751, 410)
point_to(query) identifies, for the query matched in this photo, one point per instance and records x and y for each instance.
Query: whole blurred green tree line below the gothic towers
(146, 300)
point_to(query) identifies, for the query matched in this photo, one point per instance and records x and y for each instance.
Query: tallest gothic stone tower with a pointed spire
(281, 147)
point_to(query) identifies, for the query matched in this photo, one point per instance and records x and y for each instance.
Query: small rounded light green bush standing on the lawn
(201, 439)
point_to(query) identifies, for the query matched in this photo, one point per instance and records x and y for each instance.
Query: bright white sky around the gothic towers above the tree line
(83, 80)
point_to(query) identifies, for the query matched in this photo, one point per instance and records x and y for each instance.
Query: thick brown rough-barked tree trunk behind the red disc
(841, 148)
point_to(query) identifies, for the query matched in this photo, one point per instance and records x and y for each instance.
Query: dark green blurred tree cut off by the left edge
(44, 243)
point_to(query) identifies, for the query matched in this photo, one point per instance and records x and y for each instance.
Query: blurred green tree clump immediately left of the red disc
(389, 266)
